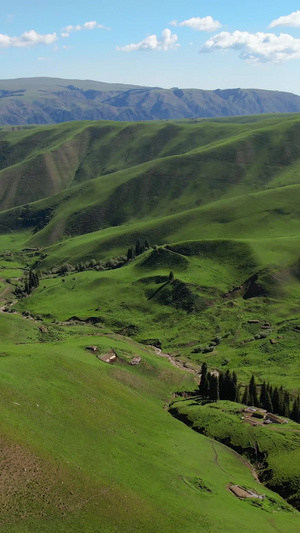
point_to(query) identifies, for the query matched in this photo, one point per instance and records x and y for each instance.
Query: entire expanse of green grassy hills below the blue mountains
(216, 203)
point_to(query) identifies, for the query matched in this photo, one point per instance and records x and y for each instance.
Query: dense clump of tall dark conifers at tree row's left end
(221, 386)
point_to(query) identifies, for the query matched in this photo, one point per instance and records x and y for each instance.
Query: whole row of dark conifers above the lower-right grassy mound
(224, 386)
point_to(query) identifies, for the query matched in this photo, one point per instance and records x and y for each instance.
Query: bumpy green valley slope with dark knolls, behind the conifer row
(206, 299)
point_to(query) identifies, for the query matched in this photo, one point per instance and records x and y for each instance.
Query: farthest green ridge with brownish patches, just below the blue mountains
(166, 166)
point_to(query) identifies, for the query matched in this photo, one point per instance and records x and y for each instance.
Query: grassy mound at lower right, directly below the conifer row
(277, 446)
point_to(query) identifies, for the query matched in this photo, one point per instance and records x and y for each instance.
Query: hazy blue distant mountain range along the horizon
(55, 100)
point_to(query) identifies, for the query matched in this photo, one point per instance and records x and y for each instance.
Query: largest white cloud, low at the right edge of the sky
(256, 46)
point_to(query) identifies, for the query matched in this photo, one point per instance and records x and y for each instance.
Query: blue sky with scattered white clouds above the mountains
(201, 44)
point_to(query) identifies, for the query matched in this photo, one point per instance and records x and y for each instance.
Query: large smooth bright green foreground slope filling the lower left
(88, 447)
